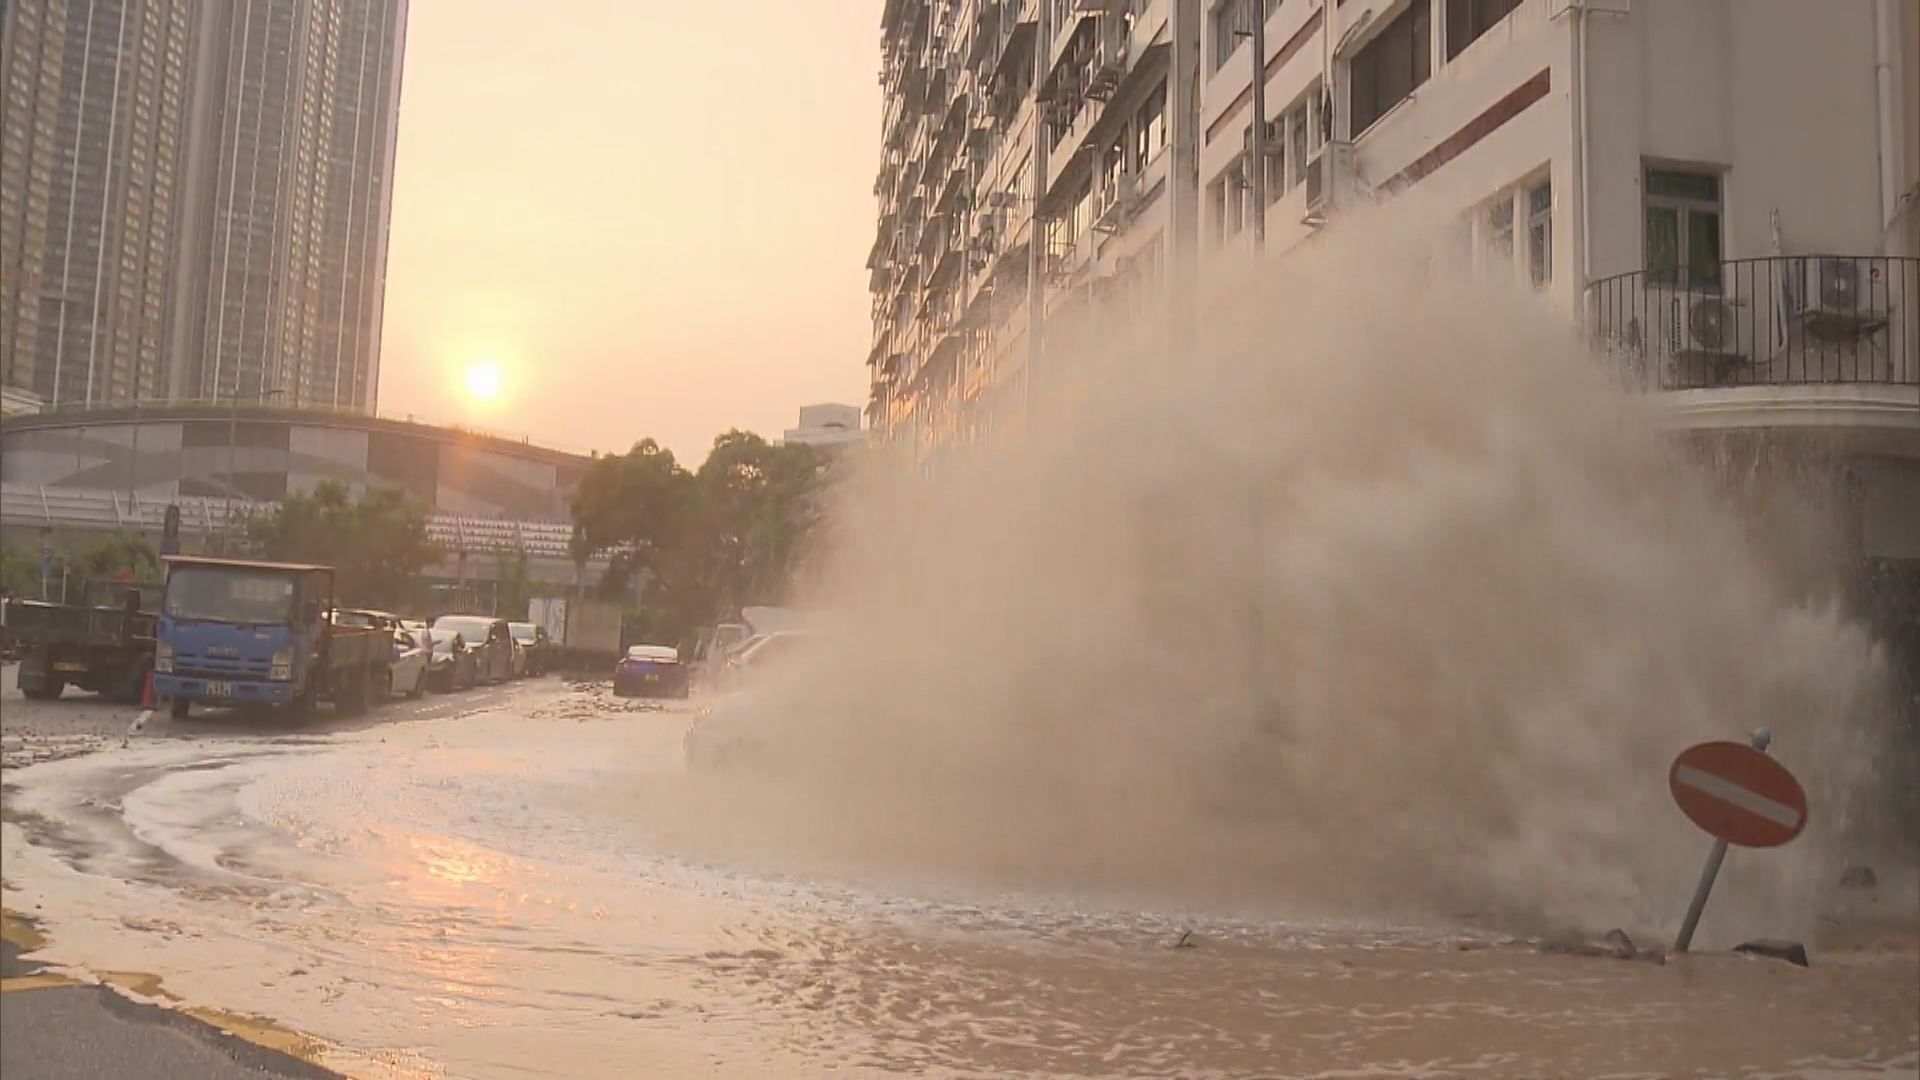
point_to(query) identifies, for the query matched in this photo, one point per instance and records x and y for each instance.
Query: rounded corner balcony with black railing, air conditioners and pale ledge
(1821, 343)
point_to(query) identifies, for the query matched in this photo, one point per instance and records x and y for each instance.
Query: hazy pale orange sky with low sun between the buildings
(650, 214)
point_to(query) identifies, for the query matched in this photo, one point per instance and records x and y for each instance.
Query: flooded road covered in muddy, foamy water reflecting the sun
(533, 893)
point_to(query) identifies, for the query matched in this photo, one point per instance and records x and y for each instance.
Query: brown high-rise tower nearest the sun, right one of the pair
(283, 258)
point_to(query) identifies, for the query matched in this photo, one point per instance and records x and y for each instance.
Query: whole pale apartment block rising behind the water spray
(1727, 191)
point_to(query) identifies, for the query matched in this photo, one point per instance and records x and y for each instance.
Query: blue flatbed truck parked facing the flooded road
(247, 633)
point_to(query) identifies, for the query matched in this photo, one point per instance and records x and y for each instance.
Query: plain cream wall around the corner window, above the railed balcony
(1775, 93)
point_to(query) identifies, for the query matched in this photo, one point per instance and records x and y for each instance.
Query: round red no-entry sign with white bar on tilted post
(1739, 795)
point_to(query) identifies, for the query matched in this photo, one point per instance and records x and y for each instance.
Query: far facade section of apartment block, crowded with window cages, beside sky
(1036, 157)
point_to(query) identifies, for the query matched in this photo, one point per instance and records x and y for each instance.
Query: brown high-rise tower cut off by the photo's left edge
(93, 120)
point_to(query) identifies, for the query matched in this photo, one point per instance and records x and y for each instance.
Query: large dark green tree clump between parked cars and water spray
(709, 543)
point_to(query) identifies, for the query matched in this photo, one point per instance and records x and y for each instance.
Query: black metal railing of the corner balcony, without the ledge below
(1775, 322)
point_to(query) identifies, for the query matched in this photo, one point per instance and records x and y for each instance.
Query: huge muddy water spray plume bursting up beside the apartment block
(1376, 597)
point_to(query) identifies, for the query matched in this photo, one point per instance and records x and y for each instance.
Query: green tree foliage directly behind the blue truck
(377, 545)
